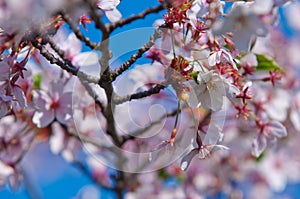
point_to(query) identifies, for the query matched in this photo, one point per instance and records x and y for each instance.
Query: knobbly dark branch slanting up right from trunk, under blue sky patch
(137, 55)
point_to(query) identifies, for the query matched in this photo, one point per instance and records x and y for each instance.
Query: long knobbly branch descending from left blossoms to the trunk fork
(53, 60)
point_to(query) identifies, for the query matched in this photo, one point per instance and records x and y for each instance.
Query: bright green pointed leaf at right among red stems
(266, 63)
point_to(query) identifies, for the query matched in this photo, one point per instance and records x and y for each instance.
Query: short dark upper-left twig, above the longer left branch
(77, 32)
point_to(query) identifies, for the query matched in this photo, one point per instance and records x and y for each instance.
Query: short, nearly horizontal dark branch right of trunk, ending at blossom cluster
(154, 90)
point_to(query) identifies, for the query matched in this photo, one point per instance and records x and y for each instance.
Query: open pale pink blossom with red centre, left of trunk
(52, 104)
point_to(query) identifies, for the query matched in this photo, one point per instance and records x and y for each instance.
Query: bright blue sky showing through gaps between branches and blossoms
(50, 176)
